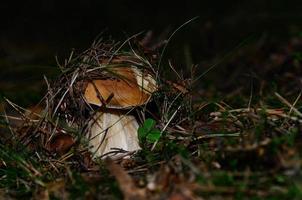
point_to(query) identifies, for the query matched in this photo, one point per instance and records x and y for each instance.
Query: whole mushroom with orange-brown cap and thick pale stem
(112, 130)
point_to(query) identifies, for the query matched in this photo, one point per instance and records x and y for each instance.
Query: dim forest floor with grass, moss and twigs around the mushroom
(229, 129)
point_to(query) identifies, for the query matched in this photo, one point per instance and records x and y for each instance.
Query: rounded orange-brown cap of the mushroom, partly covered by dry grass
(129, 87)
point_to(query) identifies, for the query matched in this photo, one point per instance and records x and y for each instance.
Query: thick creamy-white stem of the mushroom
(111, 131)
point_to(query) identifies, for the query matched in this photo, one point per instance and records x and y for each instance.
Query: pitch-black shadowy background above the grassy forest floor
(32, 33)
